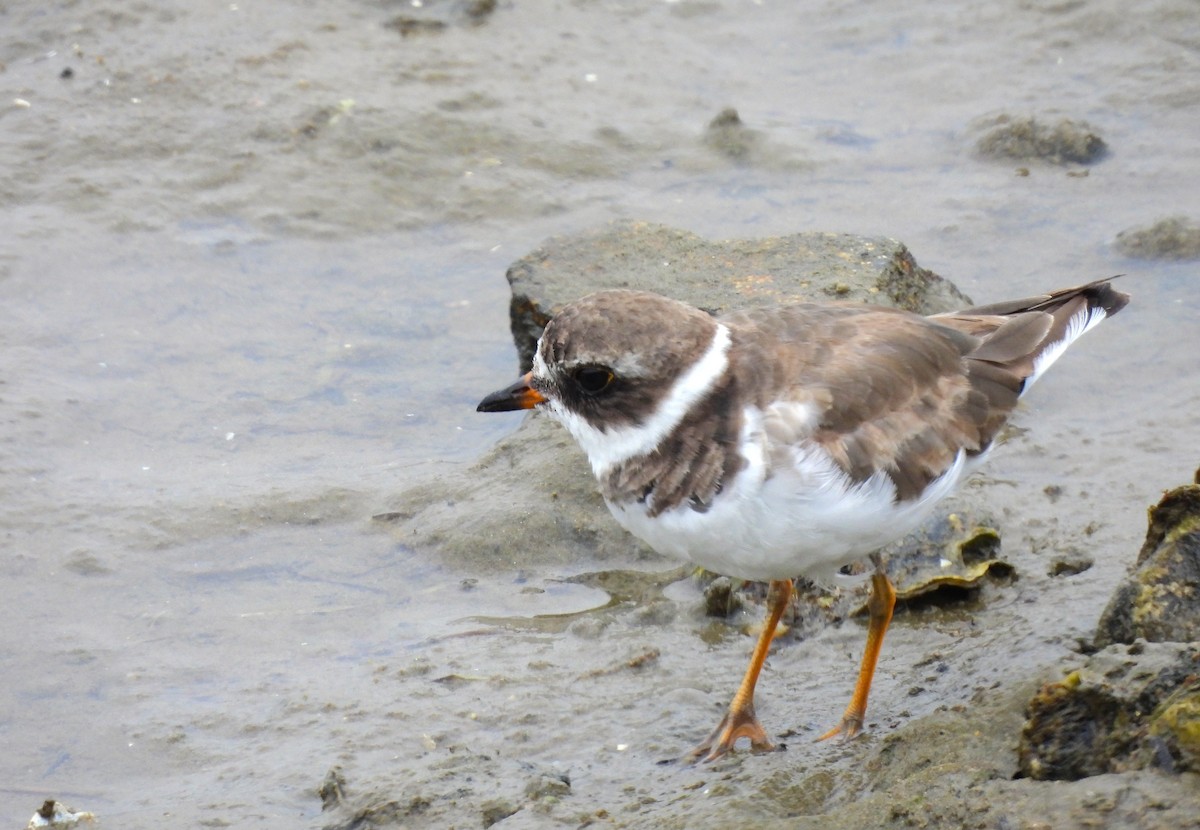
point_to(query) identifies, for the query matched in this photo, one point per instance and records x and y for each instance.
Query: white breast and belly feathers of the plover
(801, 516)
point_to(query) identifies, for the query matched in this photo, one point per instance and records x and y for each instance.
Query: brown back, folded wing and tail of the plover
(895, 392)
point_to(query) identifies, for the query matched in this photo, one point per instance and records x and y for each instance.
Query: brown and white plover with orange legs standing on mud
(785, 442)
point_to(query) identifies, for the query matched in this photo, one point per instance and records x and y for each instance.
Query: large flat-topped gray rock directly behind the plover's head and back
(718, 276)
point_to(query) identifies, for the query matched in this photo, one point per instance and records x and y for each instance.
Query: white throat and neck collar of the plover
(607, 449)
